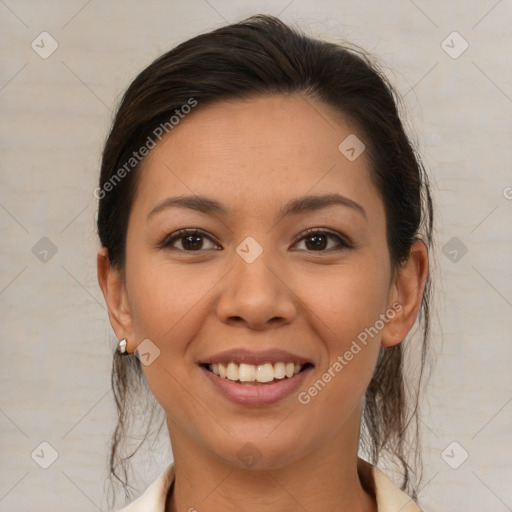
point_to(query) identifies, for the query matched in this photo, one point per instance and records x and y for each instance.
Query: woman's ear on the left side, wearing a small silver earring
(112, 285)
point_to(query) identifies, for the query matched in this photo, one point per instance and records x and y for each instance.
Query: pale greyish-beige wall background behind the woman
(55, 335)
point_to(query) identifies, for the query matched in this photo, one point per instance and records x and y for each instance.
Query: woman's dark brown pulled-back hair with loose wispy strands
(259, 56)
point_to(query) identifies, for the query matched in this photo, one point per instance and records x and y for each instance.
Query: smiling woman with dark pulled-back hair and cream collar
(265, 226)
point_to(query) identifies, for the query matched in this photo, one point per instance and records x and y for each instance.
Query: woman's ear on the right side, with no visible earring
(406, 294)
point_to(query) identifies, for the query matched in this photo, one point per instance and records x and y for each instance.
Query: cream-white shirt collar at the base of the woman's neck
(389, 497)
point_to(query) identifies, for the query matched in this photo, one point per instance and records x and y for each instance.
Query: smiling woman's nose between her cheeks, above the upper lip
(256, 295)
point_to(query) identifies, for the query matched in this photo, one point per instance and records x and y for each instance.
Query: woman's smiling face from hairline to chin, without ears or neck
(290, 265)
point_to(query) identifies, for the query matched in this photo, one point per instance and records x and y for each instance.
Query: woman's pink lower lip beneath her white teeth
(259, 394)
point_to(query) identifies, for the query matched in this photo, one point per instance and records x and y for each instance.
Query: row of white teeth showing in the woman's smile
(255, 373)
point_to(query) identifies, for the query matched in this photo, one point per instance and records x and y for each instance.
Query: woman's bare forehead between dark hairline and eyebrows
(258, 152)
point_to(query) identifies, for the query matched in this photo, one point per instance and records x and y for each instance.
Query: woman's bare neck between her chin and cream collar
(325, 478)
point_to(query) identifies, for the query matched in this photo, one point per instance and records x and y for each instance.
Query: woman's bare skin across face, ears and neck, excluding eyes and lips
(253, 157)
